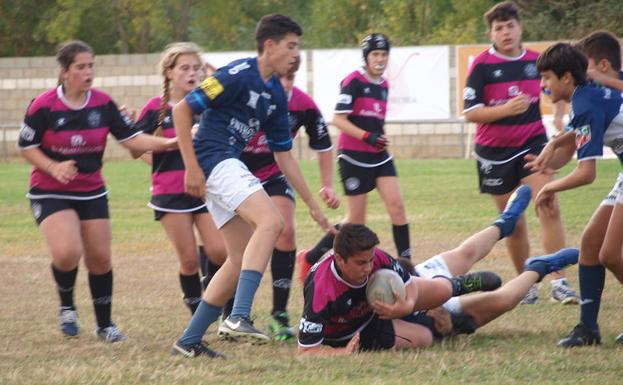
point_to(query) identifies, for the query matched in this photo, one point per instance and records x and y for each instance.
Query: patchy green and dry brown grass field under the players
(443, 207)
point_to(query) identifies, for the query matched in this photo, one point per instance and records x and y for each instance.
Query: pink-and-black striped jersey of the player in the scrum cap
(365, 102)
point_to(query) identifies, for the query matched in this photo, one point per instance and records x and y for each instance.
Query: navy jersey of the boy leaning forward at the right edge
(597, 119)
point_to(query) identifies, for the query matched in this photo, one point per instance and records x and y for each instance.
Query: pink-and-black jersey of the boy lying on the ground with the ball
(335, 310)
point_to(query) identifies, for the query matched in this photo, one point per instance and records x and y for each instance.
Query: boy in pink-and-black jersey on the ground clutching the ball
(337, 317)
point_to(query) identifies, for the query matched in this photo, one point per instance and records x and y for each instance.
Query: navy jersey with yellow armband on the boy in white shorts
(236, 103)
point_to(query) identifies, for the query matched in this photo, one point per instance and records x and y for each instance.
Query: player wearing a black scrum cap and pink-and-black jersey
(364, 162)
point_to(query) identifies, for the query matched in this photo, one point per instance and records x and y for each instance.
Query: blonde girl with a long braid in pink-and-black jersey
(180, 67)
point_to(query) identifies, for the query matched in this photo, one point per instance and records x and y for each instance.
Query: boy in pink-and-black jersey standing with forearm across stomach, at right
(502, 96)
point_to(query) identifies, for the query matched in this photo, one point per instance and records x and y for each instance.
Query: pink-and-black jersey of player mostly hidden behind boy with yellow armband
(302, 111)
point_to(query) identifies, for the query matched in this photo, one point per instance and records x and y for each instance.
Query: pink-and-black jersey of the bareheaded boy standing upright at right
(493, 80)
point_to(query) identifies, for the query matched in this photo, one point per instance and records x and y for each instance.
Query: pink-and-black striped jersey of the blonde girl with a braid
(167, 175)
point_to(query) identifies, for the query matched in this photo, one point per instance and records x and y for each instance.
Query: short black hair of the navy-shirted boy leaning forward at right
(561, 58)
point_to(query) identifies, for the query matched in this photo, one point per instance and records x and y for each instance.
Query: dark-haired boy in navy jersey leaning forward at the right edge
(596, 120)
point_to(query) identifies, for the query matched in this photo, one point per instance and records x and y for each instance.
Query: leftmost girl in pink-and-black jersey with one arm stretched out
(64, 136)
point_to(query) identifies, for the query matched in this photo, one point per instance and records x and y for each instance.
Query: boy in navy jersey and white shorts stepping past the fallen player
(235, 102)
